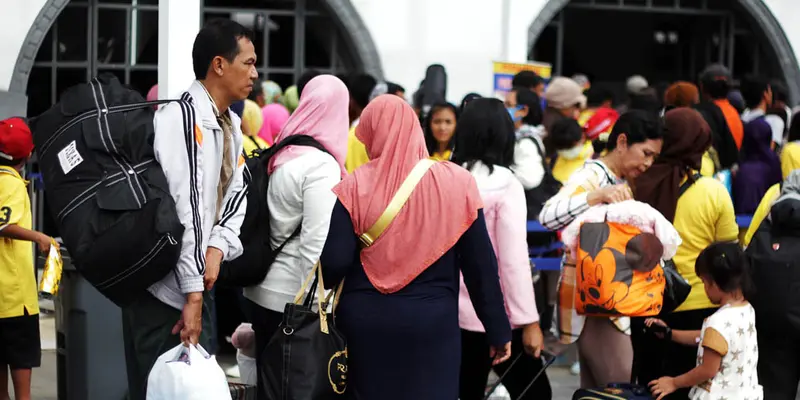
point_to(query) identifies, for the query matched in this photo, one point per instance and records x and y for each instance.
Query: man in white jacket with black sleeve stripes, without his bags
(198, 142)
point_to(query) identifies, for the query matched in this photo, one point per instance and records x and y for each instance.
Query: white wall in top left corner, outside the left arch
(18, 17)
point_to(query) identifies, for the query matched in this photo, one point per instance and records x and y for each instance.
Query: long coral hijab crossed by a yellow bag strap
(443, 206)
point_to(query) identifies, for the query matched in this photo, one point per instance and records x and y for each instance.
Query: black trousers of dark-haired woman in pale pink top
(476, 364)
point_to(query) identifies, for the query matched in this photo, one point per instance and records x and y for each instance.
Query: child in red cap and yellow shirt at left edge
(20, 346)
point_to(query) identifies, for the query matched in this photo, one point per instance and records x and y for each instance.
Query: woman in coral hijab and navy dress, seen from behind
(399, 307)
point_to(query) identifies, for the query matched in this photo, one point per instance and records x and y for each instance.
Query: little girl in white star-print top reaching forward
(727, 353)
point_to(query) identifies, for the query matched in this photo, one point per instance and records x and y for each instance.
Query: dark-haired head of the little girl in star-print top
(725, 270)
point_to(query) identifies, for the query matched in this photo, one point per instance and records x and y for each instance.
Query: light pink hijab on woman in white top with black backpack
(323, 115)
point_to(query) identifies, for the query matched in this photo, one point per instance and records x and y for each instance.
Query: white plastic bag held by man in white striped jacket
(187, 373)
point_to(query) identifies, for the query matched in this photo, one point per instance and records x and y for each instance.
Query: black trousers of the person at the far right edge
(778, 361)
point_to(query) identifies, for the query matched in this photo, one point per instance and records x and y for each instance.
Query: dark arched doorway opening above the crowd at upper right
(664, 39)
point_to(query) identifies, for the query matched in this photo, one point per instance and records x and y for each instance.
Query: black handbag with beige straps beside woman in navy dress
(306, 359)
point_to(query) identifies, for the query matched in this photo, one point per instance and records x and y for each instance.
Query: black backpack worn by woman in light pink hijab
(253, 265)
